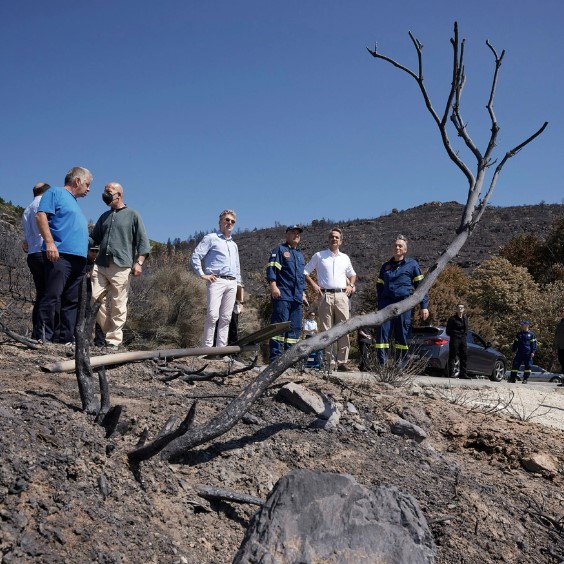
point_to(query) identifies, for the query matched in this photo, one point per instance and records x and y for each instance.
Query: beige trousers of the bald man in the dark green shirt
(115, 281)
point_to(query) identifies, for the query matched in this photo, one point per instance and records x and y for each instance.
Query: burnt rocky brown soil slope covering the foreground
(68, 493)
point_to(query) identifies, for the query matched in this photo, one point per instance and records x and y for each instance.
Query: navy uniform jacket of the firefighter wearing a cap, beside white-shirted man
(286, 267)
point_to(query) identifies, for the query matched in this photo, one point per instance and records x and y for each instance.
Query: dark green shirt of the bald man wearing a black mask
(121, 236)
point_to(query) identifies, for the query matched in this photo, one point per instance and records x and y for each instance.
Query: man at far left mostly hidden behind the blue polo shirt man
(32, 246)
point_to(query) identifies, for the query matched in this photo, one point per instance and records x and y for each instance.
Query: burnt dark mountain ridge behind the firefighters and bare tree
(429, 229)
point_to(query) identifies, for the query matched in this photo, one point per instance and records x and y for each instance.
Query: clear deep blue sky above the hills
(274, 109)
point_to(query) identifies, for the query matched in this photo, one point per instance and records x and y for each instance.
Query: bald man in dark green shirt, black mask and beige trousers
(124, 246)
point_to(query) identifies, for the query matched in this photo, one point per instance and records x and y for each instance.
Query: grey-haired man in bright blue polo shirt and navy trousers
(65, 245)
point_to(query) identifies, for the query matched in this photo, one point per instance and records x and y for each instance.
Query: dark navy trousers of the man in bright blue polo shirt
(62, 281)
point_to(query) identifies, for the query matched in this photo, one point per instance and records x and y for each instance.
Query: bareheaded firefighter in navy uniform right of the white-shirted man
(397, 280)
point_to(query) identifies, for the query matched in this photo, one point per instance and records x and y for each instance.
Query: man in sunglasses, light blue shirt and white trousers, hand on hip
(216, 260)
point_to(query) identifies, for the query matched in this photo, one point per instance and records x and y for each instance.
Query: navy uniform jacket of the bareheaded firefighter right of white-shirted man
(397, 280)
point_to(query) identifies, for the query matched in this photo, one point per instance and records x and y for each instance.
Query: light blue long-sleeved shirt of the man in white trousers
(215, 254)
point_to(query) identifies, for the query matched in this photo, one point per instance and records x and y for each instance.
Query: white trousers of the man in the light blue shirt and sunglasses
(221, 299)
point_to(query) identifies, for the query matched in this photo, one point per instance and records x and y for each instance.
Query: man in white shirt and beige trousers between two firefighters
(334, 287)
